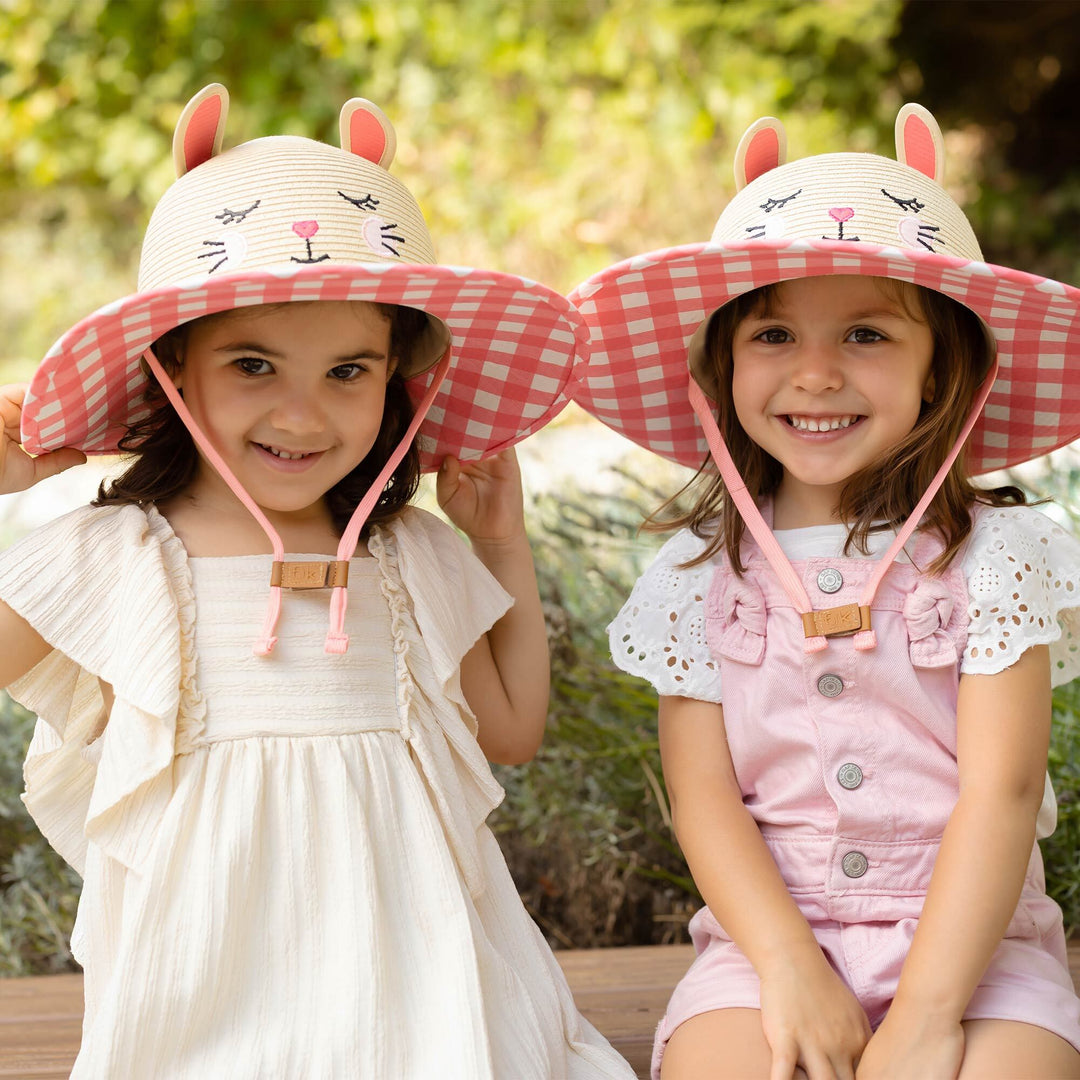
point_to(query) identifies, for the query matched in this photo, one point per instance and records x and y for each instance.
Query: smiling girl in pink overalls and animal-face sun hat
(853, 644)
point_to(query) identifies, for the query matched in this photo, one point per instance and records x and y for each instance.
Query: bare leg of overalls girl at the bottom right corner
(1008, 1050)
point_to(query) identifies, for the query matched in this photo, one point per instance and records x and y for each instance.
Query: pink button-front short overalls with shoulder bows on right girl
(847, 762)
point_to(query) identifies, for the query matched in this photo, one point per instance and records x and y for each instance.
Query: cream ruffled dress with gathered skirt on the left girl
(287, 867)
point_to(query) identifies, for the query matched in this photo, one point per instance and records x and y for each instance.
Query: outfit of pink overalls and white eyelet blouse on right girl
(846, 759)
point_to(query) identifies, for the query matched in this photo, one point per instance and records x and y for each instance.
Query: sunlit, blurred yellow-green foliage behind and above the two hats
(544, 139)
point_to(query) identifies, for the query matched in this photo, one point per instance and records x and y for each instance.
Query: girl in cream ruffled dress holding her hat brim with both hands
(271, 767)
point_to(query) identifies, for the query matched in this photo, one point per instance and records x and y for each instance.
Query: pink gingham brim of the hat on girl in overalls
(643, 313)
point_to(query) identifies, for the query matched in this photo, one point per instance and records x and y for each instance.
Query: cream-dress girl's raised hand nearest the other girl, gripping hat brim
(484, 498)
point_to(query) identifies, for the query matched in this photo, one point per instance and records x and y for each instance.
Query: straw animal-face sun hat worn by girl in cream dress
(287, 219)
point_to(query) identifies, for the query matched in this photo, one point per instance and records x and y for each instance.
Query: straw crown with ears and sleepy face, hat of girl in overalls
(853, 198)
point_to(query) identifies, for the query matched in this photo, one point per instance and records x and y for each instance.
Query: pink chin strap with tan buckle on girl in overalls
(818, 626)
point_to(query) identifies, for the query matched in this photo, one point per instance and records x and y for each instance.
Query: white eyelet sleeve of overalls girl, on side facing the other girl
(660, 632)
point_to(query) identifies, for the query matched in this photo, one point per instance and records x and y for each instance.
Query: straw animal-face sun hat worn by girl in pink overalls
(831, 214)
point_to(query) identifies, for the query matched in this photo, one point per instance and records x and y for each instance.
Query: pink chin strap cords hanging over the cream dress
(337, 640)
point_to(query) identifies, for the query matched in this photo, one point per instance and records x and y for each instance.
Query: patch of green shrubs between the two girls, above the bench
(586, 827)
